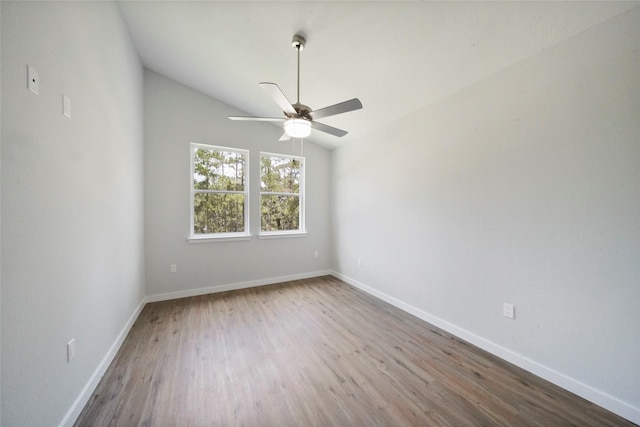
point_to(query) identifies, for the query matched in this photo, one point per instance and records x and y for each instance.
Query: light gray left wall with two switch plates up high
(72, 201)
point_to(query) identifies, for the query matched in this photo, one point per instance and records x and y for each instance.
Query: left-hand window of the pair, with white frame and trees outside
(219, 192)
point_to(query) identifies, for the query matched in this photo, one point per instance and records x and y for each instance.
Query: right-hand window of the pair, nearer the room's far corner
(281, 194)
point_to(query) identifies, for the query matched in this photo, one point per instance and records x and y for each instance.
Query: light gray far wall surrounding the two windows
(175, 116)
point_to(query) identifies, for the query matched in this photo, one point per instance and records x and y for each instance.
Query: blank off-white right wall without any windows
(523, 188)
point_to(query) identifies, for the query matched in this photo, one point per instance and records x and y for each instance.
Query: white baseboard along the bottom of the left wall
(77, 407)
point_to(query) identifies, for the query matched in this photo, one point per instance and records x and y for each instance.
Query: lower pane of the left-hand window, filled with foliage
(218, 213)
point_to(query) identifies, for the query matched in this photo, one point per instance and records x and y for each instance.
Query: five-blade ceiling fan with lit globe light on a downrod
(298, 118)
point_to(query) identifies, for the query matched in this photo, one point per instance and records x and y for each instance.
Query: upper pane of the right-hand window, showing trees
(279, 175)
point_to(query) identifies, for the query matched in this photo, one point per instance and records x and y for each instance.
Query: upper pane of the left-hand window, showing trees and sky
(218, 170)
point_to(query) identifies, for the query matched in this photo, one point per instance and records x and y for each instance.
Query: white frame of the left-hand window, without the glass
(216, 237)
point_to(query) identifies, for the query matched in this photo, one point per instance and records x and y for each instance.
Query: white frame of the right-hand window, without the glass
(301, 231)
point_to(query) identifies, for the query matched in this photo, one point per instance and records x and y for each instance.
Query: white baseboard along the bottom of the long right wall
(585, 391)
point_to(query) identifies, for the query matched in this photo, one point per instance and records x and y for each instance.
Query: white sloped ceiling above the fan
(396, 57)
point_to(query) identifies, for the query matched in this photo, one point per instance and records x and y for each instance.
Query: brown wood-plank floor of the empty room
(315, 352)
